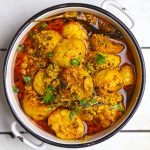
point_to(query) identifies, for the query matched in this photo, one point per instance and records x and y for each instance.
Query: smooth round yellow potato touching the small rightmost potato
(108, 81)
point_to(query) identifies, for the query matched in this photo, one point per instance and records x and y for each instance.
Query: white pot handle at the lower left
(18, 135)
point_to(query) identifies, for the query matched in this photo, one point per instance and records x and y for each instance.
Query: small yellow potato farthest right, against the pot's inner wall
(128, 75)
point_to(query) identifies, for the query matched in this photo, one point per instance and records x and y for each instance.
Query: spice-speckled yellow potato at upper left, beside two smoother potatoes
(47, 40)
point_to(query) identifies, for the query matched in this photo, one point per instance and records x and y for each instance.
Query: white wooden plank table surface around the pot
(13, 13)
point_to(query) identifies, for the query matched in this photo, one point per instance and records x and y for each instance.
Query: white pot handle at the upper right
(113, 3)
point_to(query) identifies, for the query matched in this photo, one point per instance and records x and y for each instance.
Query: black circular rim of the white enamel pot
(133, 40)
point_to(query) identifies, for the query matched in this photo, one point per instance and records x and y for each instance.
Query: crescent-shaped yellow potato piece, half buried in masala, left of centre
(38, 82)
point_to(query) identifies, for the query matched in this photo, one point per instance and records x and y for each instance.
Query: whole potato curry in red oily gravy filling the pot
(74, 75)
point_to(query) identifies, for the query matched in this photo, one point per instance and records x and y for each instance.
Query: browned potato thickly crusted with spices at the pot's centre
(78, 84)
